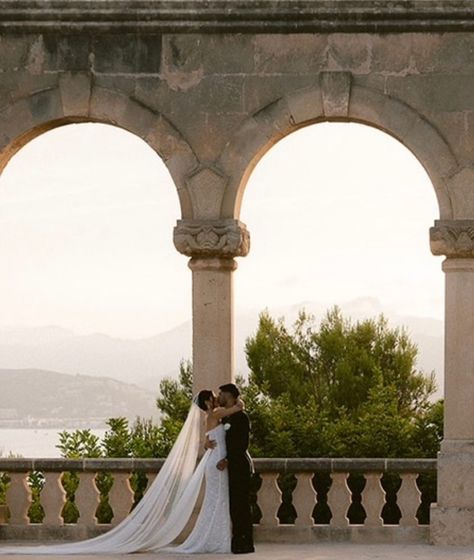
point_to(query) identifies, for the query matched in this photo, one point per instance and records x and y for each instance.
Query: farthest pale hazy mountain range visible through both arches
(145, 361)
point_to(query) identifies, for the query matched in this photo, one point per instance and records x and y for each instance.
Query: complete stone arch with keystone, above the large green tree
(336, 99)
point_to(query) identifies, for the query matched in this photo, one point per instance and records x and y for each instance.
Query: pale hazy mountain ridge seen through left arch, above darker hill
(142, 361)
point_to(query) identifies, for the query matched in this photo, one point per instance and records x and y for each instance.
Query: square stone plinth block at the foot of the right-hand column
(451, 526)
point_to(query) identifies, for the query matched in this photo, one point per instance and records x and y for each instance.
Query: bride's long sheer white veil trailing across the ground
(161, 514)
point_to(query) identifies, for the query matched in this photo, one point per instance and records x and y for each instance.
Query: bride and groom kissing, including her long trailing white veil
(224, 521)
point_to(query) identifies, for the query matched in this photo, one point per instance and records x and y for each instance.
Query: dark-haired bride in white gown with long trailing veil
(165, 509)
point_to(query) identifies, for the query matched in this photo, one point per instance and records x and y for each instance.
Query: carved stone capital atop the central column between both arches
(221, 239)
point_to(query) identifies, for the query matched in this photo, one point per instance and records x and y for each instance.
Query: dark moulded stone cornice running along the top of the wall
(253, 16)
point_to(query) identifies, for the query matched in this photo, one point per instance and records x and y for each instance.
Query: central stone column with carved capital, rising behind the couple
(212, 246)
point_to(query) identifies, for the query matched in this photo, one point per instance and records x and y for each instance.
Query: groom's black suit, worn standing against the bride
(240, 468)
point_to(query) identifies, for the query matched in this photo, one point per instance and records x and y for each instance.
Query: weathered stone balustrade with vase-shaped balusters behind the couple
(296, 500)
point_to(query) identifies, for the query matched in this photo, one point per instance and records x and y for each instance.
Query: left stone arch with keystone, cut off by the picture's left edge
(76, 100)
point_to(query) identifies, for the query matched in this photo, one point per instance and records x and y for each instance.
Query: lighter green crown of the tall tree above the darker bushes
(337, 363)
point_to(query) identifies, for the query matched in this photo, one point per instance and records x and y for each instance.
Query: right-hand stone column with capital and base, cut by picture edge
(452, 517)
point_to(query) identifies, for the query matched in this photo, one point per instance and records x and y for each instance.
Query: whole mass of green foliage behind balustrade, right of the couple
(338, 389)
